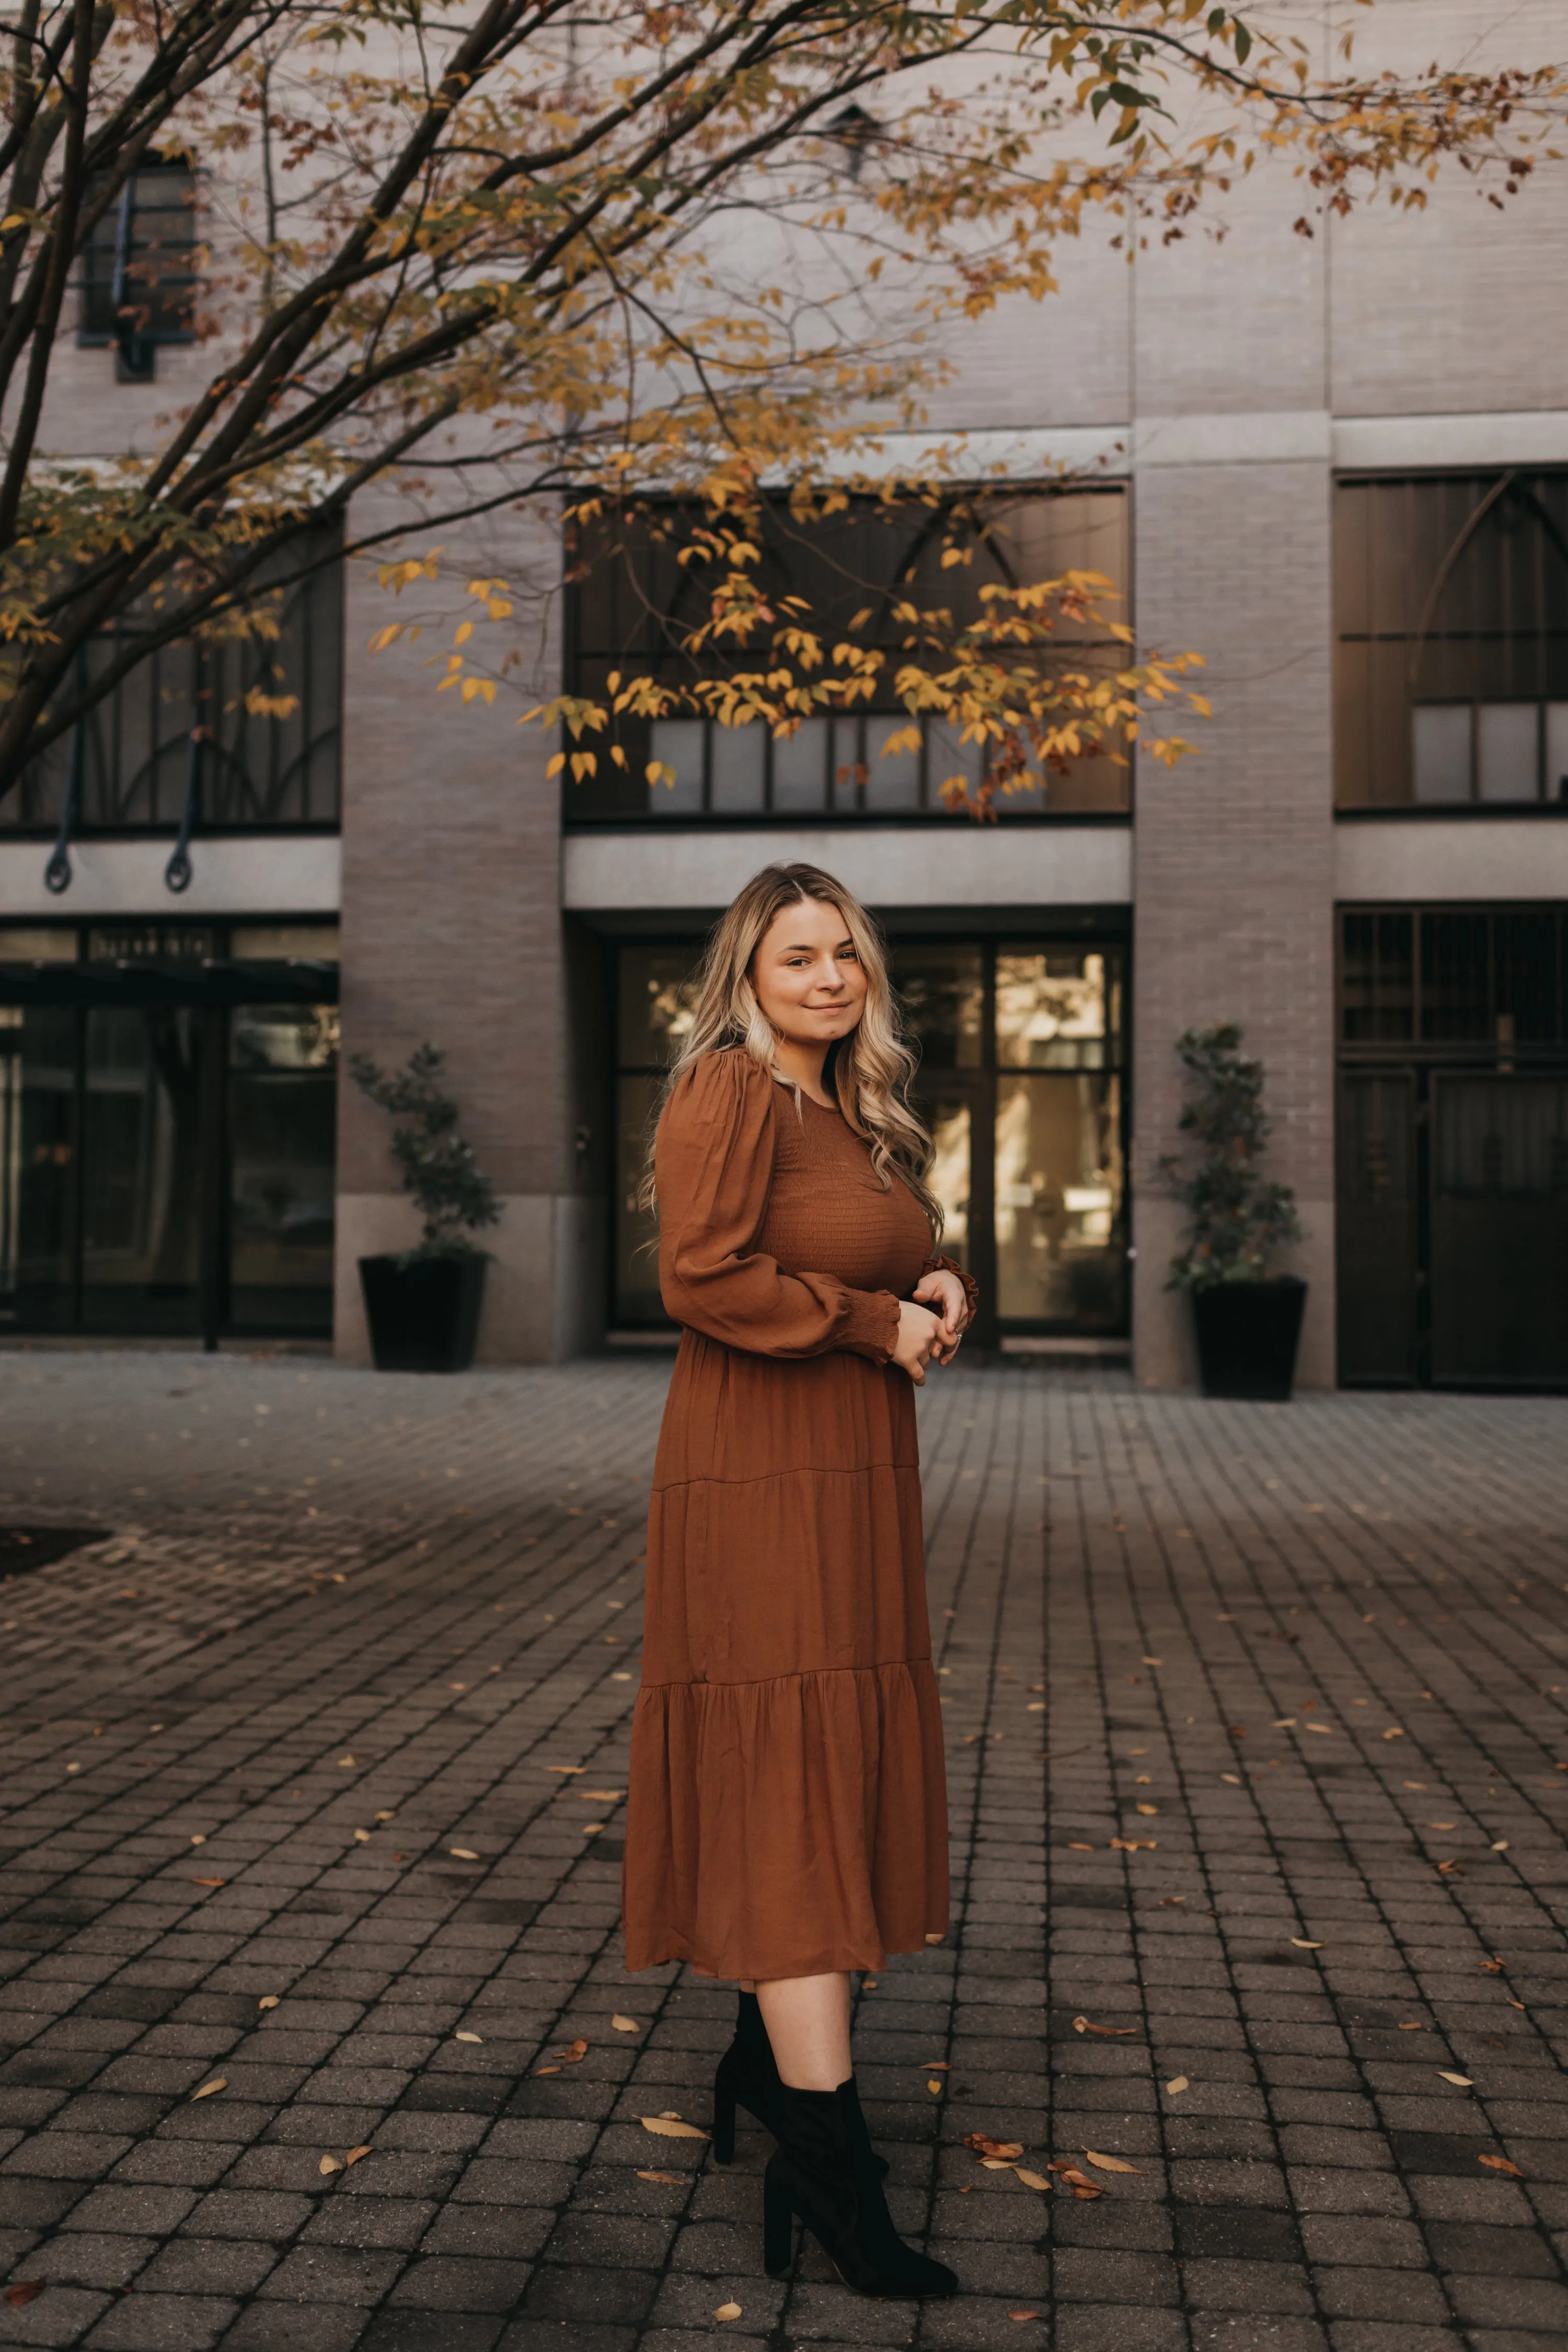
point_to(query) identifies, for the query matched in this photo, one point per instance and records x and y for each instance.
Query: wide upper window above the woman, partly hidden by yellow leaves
(631, 606)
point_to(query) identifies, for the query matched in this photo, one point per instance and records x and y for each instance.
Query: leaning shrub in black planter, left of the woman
(424, 1304)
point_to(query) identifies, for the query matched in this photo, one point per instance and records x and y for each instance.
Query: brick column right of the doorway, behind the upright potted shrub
(1235, 857)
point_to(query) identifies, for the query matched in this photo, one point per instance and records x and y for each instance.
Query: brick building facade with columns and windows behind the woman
(1339, 467)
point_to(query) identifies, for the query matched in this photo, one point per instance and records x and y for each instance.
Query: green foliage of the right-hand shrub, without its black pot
(1238, 1215)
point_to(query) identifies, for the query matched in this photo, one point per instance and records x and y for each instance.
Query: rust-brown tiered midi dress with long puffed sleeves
(786, 1798)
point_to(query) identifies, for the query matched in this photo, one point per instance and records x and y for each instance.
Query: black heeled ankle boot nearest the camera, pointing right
(822, 2170)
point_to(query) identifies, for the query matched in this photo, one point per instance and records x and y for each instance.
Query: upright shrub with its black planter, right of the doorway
(1247, 1318)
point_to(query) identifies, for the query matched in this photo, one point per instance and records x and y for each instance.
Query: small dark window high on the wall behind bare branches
(140, 269)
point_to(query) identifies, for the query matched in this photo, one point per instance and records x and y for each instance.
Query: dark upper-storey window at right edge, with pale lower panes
(1452, 615)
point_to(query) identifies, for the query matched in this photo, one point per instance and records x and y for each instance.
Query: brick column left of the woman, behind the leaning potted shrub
(453, 933)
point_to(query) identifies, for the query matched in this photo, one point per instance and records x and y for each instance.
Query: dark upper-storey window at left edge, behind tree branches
(189, 723)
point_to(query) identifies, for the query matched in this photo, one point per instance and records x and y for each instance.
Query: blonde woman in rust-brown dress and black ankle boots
(786, 1803)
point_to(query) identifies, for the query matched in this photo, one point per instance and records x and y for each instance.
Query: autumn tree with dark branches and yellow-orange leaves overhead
(594, 258)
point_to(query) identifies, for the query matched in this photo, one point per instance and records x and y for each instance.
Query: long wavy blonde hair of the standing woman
(871, 1069)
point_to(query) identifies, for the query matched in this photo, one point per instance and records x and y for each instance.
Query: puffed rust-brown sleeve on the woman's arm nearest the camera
(713, 1163)
